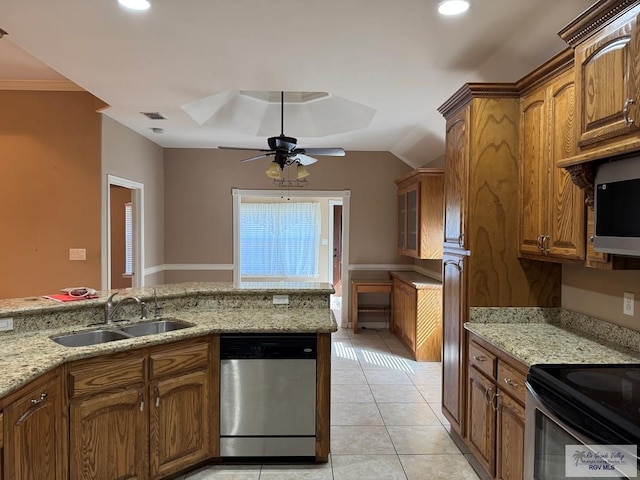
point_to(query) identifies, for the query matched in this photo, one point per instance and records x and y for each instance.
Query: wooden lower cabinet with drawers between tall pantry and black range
(495, 414)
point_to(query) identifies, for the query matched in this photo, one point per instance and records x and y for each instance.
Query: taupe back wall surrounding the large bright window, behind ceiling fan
(198, 208)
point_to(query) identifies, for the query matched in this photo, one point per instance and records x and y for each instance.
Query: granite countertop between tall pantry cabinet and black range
(533, 343)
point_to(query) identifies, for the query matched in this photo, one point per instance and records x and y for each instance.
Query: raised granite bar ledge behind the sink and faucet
(39, 304)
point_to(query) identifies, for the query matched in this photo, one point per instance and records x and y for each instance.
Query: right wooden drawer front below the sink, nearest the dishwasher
(174, 359)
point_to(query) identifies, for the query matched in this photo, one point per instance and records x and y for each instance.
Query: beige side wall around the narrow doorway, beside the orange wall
(128, 155)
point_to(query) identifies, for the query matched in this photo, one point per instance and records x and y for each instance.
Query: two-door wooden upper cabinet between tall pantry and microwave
(552, 209)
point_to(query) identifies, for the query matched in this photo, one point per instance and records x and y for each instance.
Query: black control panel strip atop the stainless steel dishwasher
(268, 346)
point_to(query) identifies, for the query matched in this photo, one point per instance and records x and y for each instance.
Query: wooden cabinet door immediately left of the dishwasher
(179, 422)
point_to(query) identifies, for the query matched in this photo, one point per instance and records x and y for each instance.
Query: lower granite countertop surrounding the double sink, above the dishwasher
(26, 356)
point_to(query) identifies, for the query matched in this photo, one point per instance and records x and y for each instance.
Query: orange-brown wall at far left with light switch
(49, 191)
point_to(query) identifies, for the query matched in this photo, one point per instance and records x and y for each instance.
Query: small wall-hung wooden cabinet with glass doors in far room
(420, 201)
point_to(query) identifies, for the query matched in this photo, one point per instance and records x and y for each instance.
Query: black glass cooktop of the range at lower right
(600, 401)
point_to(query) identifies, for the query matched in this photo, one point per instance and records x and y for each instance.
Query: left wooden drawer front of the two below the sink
(109, 372)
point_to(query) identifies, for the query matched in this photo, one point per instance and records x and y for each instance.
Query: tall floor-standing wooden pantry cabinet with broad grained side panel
(481, 267)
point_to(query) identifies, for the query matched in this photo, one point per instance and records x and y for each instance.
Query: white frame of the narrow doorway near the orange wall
(137, 204)
